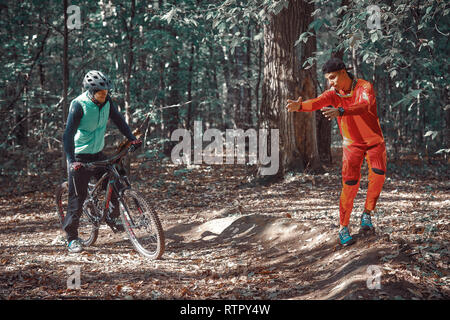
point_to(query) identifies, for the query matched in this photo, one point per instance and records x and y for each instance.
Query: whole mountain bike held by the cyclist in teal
(140, 220)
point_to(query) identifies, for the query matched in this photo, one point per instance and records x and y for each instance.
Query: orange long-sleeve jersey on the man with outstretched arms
(360, 123)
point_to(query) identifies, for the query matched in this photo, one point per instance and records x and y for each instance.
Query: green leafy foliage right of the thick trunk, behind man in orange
(406, 58)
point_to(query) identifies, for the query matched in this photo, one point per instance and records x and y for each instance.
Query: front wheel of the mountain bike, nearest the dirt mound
(142, 224)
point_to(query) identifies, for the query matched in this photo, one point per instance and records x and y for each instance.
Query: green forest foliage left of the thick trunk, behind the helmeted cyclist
(175, 47)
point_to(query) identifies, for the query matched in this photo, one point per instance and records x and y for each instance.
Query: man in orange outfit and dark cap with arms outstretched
(354, 105)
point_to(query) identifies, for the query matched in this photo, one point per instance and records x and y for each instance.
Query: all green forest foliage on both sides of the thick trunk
(203, 59)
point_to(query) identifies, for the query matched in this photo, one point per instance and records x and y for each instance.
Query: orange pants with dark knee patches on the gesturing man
(352, 159)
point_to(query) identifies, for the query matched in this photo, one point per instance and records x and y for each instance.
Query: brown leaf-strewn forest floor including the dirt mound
(227, 238)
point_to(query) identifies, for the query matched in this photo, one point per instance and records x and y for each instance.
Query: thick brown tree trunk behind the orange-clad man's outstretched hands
(282, 82)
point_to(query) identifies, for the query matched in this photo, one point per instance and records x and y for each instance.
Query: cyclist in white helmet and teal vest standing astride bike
(84, 139)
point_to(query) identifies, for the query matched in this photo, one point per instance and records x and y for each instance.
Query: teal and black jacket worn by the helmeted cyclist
(86, 126)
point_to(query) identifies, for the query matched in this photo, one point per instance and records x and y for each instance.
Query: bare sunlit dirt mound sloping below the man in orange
(328, 270)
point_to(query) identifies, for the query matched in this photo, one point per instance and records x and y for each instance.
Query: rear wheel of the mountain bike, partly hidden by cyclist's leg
(87, 231)
